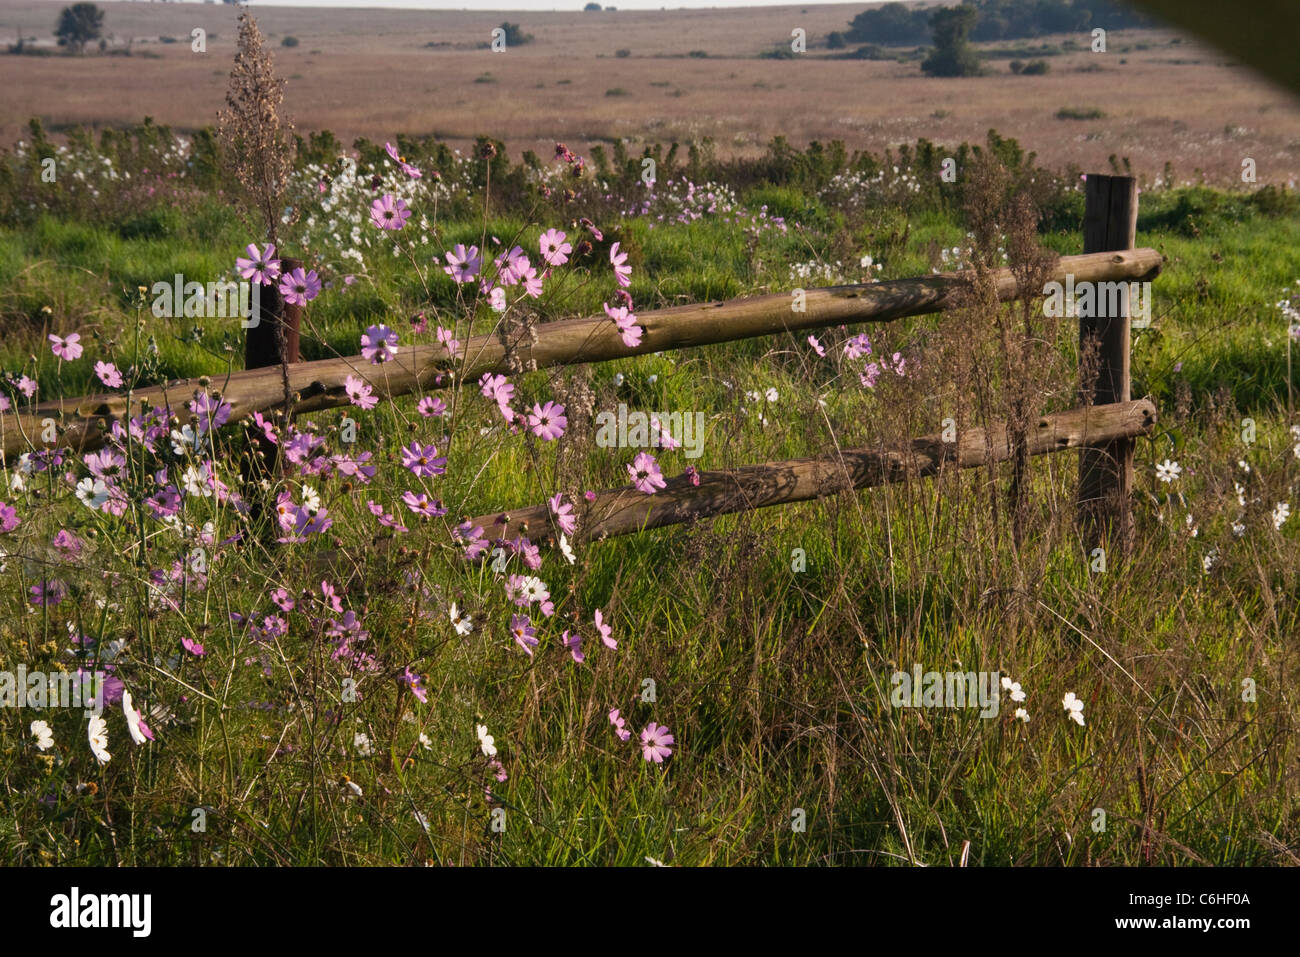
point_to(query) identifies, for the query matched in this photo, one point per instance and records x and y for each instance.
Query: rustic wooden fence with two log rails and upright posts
(1104, 427)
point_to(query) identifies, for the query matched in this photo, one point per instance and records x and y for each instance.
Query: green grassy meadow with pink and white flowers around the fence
(305, 670)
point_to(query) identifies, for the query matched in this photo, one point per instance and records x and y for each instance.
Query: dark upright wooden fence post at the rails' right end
(1107, 473)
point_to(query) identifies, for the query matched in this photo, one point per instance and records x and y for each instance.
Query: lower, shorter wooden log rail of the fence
(626, 510)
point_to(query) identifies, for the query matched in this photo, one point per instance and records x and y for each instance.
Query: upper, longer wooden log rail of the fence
(319, 386)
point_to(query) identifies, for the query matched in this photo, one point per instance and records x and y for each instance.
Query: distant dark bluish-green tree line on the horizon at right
(900, 25)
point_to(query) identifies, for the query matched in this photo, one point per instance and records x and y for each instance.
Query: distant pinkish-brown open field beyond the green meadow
(376, 73)
